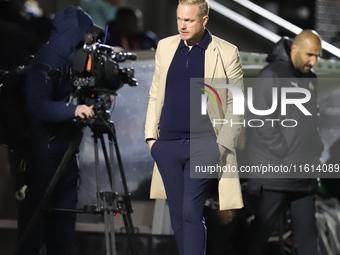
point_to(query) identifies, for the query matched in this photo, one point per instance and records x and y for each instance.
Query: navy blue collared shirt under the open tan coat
(175, 118)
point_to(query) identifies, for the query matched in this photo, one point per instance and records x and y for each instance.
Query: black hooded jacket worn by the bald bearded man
(274, 144)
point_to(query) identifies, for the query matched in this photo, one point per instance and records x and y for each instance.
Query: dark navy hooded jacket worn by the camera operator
(49, 113)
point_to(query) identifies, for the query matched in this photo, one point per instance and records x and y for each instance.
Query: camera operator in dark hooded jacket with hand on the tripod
(50, 111)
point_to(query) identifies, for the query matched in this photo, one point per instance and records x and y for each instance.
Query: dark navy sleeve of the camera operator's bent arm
(39, 96)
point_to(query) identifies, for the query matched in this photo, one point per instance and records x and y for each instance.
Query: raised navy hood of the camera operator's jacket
(69, 28)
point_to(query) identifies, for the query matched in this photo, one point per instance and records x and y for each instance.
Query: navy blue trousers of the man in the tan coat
(185, 195)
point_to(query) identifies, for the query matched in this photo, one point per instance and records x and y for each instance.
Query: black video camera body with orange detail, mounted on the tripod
(97, 74)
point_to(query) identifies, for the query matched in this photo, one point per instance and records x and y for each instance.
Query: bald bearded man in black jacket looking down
(276, 145)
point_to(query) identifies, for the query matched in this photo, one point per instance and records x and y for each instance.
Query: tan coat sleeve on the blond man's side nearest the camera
(151, 123)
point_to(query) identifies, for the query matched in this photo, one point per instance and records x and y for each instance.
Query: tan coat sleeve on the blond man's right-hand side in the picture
(228, 134)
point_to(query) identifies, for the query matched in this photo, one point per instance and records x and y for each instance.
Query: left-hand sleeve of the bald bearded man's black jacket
(269, 134)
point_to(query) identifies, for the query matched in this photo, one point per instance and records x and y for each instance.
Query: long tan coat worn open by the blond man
(221, 61)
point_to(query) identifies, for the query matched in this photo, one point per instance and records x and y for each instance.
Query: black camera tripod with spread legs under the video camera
(110, 204)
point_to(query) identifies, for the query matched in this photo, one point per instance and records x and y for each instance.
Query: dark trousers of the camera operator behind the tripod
(55, 229)
